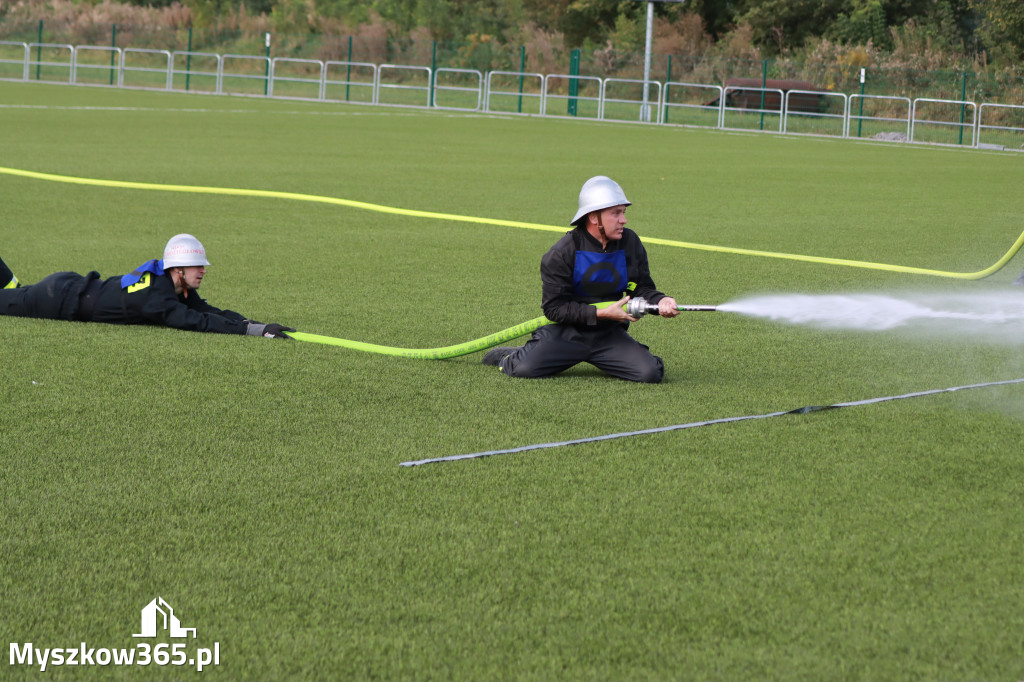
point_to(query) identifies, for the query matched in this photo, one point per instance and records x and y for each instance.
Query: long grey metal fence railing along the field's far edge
(953, 121)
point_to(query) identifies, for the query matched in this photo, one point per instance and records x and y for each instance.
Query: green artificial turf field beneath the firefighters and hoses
(257, 487)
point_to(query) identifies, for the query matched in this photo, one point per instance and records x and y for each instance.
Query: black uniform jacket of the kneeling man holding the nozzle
(561, 302)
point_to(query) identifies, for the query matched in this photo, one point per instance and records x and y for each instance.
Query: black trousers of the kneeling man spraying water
(556, 349)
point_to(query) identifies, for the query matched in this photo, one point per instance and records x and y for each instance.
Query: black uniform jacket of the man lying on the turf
(153, 302)
